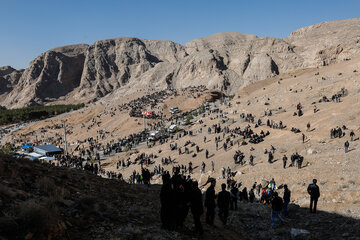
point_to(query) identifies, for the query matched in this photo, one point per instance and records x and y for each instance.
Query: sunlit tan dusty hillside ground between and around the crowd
(337, 172)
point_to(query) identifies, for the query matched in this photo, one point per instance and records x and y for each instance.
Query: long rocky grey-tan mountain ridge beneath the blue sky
(224, 61)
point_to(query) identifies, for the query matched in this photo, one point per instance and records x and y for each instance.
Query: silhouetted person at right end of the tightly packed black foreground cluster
(196, 207)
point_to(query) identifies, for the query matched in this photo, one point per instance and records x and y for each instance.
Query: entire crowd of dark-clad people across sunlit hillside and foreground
(180, 194)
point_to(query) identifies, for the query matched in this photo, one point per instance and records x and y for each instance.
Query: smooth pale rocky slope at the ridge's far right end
(328, 42)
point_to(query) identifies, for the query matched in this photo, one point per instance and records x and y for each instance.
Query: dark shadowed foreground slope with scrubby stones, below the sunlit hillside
(44, 202)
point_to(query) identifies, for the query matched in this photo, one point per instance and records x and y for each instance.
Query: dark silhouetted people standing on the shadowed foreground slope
(179, 195)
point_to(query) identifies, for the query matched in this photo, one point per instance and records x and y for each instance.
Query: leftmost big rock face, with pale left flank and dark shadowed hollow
(51, 75)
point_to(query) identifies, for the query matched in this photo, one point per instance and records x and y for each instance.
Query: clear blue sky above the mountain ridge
(29, 28)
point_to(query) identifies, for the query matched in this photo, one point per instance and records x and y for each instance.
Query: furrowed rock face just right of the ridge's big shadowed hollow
(112, 64)
